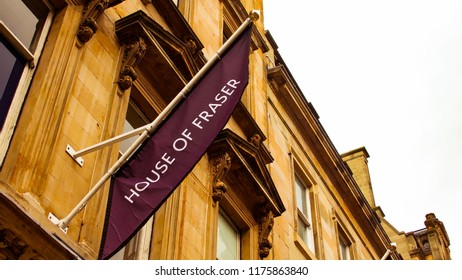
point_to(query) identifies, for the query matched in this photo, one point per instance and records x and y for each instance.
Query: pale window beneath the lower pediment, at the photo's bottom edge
(228, 239)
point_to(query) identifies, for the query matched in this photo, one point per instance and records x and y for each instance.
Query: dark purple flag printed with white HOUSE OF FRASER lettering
(140, 187)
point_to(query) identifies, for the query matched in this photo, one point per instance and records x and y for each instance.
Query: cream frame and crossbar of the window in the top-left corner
(25, 79)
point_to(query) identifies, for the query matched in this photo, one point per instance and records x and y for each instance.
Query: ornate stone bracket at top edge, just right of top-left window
(92, 11)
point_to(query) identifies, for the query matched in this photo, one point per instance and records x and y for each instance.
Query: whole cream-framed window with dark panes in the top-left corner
(23, 28)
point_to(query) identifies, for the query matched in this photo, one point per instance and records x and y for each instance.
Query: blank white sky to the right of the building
(386, 75)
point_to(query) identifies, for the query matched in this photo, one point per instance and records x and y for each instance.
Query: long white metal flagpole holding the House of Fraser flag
(148, 129)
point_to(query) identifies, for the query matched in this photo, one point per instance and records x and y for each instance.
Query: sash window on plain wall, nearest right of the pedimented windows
(304, 221)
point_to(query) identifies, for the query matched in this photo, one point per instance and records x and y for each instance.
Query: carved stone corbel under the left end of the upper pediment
(133, 53)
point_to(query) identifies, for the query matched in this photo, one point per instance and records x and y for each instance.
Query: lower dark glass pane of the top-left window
(11, 69)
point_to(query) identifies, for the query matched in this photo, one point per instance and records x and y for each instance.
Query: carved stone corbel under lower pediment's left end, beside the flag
(221, 166)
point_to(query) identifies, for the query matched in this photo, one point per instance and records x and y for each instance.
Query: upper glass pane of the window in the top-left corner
(24, 18)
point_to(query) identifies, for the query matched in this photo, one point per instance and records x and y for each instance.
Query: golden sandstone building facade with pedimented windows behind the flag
(271, 186)
